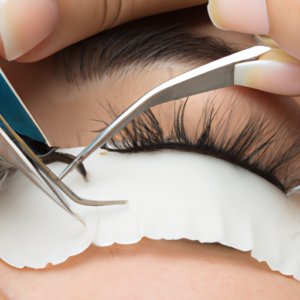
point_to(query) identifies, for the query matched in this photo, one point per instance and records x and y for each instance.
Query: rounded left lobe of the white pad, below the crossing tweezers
(35, 230)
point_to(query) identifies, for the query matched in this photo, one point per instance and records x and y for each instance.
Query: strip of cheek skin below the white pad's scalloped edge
(151, 270)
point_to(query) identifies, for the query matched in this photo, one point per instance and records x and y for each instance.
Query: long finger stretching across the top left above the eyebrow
(30, 33)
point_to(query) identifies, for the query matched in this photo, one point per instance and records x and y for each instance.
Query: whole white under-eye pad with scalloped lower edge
(172, 195)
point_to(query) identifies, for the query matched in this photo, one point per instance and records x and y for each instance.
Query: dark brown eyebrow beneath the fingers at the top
(140, 44)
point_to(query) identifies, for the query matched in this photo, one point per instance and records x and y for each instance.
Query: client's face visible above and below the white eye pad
(72, 107)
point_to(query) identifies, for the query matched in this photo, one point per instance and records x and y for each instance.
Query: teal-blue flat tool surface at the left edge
(15, 113)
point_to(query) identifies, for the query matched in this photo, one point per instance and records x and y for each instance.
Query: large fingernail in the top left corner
(25, 23)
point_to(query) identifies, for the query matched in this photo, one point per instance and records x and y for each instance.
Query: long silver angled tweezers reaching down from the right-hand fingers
(215, 75)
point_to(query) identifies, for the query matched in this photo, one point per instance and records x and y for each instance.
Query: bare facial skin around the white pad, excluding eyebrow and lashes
(148, 269)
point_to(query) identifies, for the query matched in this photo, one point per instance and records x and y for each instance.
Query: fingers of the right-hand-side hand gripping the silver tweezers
(277, 72)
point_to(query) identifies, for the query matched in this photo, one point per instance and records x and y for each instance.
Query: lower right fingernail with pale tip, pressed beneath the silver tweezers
(269, 76)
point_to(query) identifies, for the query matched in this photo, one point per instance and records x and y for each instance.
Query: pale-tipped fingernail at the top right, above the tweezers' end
(240, 15)
